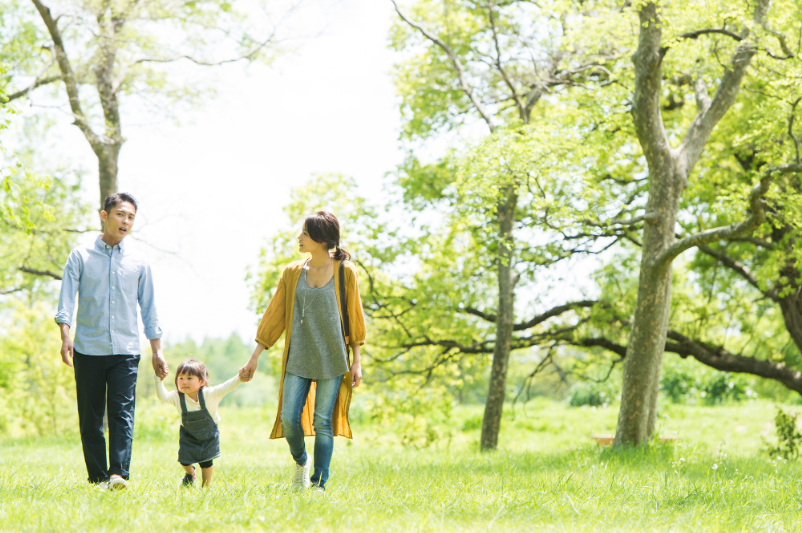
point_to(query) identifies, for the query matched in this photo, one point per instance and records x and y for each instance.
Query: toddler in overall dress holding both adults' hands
(199, 441)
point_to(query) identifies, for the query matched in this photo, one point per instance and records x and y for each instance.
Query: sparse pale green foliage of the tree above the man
(144, 37)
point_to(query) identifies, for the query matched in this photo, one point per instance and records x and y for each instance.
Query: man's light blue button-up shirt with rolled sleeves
(110, 281)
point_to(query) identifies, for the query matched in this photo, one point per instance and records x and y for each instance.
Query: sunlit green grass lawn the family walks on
(546, 476)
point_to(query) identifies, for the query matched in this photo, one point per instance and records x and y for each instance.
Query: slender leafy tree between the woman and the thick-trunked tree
(497, 61)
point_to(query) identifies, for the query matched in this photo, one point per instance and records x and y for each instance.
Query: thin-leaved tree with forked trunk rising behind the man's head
(116, 50)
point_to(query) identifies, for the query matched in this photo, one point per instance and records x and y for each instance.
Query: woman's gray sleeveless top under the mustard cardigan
(317, 347)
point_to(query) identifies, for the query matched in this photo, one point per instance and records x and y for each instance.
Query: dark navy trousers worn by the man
(94, 375)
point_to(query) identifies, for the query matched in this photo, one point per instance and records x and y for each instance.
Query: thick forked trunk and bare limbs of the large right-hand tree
(669, 171)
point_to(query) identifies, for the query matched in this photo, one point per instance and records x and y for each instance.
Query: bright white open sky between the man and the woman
(211, 190)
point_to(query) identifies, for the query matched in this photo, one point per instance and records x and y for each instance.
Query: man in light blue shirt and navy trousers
(110, 280)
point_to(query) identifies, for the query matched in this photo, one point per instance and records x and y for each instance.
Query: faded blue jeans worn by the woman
(296, 390)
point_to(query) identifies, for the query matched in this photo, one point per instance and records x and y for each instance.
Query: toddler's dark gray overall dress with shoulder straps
(200, 439)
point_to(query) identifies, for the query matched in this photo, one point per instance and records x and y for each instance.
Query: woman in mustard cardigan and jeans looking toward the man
(316, 377)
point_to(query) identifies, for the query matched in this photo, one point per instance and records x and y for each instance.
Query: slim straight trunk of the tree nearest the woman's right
(494, 407)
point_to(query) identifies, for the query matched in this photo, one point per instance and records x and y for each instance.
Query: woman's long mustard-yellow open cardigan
(278, 317)
